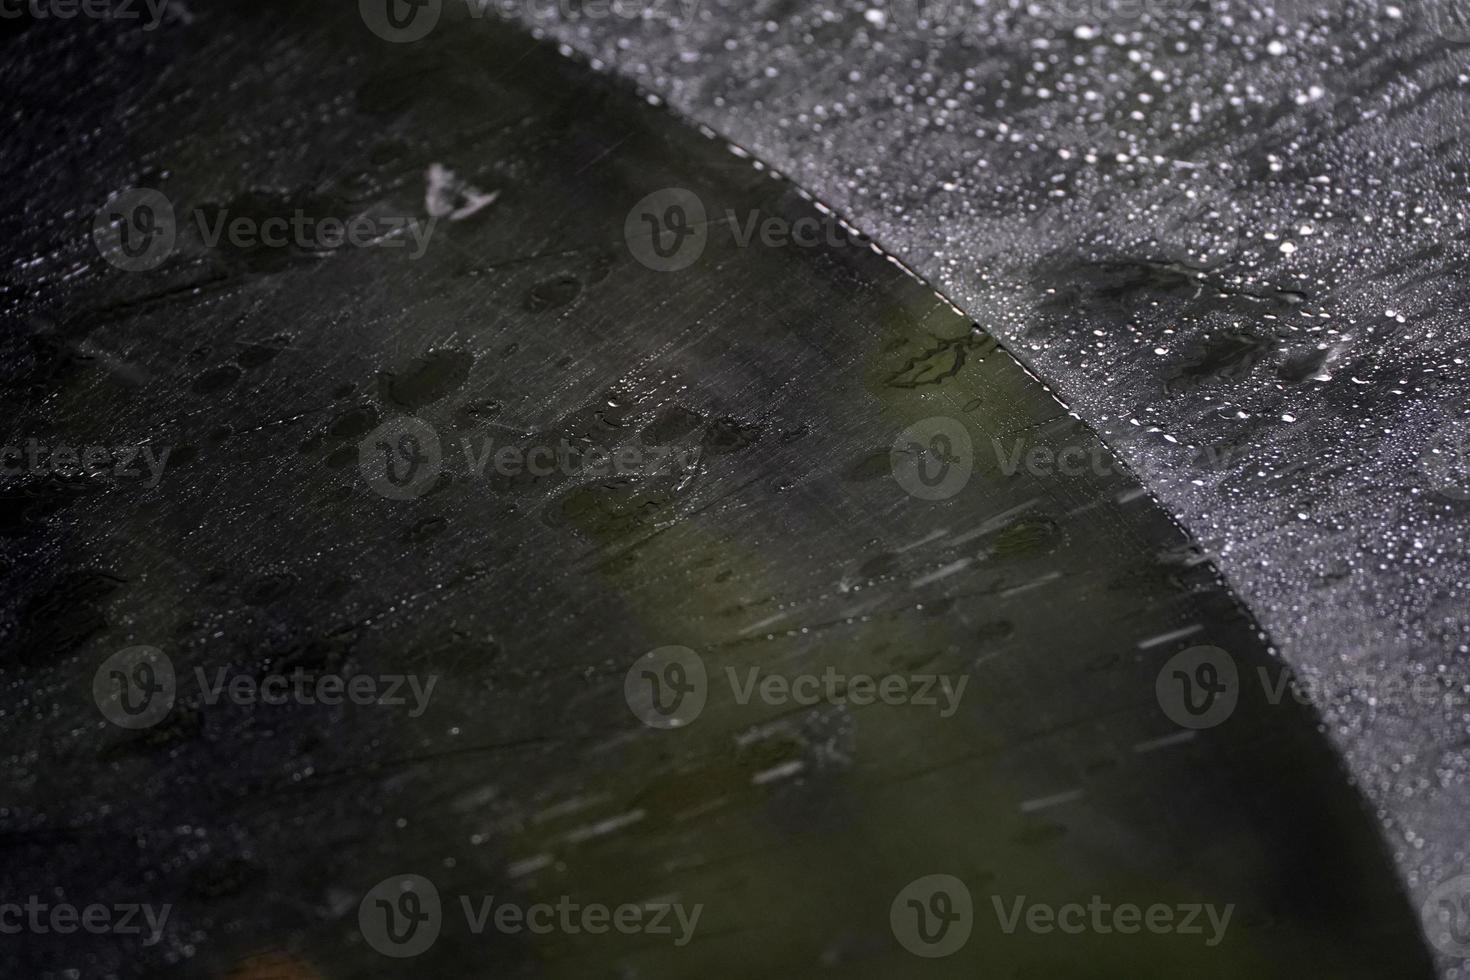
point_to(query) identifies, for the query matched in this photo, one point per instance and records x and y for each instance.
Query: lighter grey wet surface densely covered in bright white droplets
(1231, 234)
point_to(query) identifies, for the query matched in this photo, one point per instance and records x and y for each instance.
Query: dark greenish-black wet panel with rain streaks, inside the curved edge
(772, 386)
